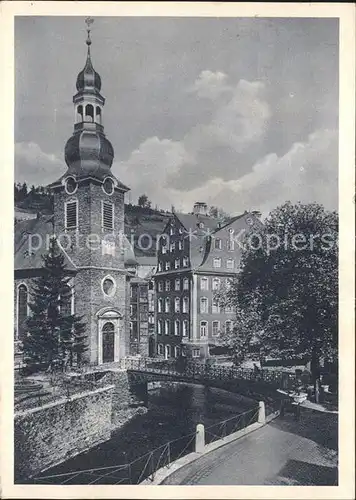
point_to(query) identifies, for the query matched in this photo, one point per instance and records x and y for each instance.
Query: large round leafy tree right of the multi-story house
(289, 272)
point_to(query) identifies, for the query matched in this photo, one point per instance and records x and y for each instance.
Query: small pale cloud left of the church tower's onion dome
(34, 166)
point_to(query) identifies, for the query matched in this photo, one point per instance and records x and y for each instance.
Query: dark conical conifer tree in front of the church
(54, 335)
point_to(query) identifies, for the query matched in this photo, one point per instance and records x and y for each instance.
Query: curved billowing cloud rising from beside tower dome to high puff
(238, 119)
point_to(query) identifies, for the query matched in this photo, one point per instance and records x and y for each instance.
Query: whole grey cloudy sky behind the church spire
(238, 112)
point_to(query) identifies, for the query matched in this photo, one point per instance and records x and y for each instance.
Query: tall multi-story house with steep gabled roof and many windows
(196, 254)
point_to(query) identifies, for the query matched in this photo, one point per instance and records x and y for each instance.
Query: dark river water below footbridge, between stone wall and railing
(174, 410)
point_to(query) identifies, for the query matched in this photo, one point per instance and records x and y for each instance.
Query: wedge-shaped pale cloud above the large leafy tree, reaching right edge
(306, 173)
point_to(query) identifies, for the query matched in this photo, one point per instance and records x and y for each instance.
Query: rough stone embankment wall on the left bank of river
(55, 432)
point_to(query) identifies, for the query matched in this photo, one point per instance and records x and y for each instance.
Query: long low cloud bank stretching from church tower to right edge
(306, 173)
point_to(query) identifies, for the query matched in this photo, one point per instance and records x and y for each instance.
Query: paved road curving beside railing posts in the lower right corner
(283, 452)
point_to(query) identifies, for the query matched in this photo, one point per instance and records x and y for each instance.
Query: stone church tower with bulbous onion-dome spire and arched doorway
(89, 222)
